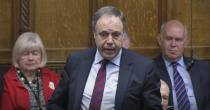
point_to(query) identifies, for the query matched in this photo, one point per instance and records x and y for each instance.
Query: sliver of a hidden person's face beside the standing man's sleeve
(164, 91)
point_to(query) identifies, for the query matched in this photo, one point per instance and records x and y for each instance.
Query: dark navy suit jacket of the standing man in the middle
(138, 88)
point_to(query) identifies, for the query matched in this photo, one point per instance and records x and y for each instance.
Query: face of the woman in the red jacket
(30, 60)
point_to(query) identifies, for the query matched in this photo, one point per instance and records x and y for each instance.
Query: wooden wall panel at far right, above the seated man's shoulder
(201, 23)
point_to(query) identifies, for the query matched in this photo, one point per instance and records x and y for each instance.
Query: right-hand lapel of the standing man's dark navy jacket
(124, 76)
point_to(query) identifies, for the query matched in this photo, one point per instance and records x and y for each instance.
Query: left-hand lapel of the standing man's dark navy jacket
(83, 72)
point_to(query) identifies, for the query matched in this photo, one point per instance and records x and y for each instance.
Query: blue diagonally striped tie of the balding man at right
(181, 93)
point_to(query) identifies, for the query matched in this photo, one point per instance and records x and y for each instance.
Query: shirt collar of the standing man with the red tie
(115, 60)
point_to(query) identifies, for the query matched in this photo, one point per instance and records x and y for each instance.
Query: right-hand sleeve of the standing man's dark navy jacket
(143, 92)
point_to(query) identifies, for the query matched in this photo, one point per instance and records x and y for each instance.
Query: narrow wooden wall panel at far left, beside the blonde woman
(5, 30)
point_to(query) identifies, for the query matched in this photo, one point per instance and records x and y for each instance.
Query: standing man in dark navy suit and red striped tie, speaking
(126, 82)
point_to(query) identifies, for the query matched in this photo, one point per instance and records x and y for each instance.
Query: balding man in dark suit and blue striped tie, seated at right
(187, 78)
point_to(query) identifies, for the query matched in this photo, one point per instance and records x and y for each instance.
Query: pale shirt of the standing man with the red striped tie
(112, 73)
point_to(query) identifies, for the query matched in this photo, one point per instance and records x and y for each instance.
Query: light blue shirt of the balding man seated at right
(181, 68)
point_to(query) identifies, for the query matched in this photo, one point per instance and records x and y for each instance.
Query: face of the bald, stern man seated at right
(173, 42)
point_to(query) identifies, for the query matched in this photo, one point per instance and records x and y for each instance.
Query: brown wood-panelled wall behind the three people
(65, 25)
